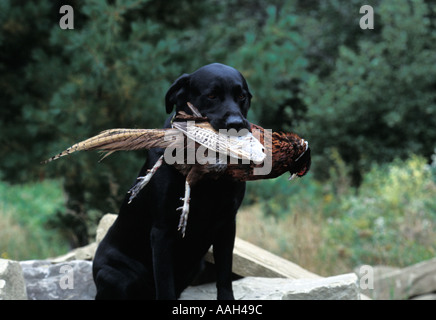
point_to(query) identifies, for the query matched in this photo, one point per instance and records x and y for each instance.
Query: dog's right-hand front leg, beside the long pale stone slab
(223, 256)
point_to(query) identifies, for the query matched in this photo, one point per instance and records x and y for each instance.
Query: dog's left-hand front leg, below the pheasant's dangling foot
(162, 243)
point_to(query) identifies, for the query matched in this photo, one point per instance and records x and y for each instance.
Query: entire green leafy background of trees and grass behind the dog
(365, 99)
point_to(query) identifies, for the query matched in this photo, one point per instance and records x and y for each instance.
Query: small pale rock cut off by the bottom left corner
(12, 285)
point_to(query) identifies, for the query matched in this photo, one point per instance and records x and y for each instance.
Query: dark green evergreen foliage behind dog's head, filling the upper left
(113, 70)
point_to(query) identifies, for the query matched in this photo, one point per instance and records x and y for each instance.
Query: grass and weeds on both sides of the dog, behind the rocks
(326, 227)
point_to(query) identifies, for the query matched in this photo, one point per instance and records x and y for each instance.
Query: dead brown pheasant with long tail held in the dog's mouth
(277, 152)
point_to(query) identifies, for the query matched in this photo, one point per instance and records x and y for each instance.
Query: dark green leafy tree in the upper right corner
(379, 101)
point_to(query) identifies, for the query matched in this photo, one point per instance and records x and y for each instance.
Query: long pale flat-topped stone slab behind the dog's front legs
(342, 287)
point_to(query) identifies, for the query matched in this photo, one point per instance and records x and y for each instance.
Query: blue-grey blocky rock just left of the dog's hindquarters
(62, 281)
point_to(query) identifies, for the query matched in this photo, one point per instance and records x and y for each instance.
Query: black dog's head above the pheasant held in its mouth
(218, 91)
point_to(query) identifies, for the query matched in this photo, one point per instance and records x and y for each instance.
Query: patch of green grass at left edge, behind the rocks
(25, 215)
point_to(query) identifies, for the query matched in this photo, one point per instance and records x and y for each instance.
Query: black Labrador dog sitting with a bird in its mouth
(143, 256)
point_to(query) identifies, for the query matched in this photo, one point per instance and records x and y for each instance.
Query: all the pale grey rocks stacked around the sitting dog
(264, 277)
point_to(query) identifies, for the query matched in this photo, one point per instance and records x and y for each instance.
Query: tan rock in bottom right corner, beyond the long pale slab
(406, 283)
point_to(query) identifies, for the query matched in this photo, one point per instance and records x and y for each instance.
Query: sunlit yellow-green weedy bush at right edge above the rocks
(392, 220)
